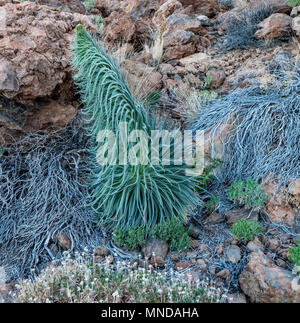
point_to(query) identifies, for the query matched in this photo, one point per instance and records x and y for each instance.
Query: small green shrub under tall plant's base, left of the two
(130, 238)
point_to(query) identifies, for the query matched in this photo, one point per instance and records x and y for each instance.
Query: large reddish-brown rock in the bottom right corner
(265, 282)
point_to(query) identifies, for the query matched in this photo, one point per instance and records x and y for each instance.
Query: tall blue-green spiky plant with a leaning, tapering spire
(126, 195)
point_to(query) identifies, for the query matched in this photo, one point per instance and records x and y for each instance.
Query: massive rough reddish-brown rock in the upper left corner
(35, 49)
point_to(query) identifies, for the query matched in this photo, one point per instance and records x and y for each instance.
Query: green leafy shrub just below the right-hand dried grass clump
(248, 193)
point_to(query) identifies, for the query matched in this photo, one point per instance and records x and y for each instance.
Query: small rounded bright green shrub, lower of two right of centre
(246, 229)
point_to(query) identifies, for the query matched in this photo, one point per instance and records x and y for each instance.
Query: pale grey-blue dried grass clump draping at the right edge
(262, 137)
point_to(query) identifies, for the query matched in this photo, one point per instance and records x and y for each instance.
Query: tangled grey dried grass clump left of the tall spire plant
(42, 195)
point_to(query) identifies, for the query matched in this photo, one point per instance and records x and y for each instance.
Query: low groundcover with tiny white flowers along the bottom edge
(79, 281)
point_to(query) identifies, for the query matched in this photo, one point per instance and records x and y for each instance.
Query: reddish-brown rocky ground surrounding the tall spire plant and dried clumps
(174, 46)
